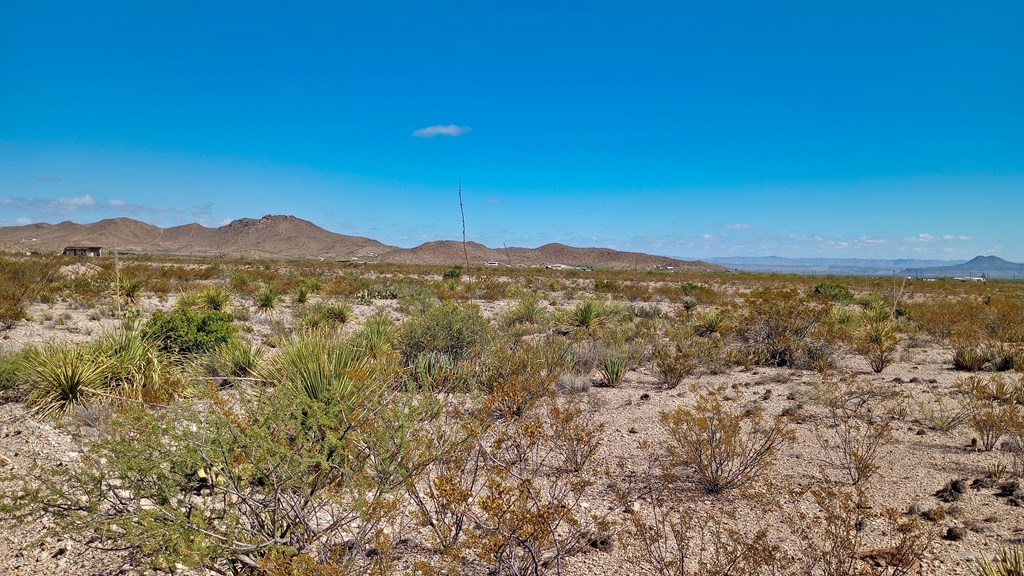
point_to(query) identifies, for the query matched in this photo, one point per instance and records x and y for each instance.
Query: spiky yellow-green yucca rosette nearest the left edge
(61, 378)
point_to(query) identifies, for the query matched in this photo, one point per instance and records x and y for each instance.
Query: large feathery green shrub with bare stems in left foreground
(224, 487)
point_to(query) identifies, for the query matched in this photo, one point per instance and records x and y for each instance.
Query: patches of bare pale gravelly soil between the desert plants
(914, 466)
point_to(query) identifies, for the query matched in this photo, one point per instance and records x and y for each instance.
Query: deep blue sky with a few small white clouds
(845, 130)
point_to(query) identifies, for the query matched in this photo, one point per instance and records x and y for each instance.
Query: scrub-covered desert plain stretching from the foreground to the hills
(234, 417)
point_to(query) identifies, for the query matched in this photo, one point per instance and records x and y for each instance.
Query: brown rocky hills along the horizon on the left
(290, 237)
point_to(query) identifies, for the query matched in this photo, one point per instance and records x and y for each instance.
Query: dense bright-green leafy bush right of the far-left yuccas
(186, 333)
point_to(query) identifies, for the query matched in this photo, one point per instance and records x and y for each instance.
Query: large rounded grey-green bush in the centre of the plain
(446, 328)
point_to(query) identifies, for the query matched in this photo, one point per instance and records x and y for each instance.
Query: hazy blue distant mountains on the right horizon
(989, 267)
